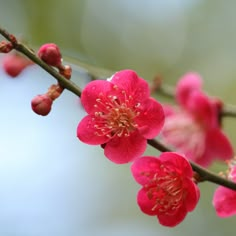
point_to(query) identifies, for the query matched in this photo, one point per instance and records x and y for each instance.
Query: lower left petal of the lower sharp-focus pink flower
(146, 205)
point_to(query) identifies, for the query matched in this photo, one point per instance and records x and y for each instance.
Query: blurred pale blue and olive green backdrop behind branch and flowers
(52, 184)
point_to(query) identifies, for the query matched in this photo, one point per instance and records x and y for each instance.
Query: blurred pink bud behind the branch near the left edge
(14, 64)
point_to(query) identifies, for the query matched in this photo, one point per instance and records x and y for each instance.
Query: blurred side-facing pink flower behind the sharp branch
(194, 128)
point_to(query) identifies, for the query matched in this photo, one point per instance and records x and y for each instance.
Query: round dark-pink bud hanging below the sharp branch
(41, 104)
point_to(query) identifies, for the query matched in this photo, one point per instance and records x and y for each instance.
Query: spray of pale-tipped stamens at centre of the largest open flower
(114, 116)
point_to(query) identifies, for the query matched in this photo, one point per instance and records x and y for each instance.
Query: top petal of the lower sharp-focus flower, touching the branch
(179, 163)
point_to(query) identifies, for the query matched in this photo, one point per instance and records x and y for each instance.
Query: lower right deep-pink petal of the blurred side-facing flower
(218, 145)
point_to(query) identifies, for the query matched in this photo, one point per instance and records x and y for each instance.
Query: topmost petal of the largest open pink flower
(134, 86)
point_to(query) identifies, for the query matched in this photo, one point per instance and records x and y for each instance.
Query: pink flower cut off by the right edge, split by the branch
(224, 199)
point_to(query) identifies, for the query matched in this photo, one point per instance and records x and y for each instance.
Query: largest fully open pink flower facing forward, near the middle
(121, 116)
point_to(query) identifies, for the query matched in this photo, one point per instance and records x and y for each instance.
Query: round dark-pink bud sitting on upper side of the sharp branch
(50, 53)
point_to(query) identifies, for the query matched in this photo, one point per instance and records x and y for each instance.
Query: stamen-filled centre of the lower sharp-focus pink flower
(167, 191)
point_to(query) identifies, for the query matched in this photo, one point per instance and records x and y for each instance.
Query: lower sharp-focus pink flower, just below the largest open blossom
(168, 190)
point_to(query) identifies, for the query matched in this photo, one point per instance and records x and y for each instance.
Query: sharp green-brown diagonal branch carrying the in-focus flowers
(204, 174)
